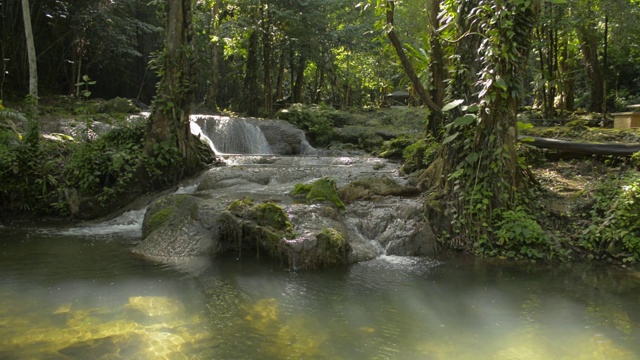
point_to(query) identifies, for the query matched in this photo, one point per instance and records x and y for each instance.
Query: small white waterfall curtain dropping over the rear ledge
(234, 136)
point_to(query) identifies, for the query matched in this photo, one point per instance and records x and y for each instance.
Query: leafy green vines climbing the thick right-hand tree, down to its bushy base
(485, 177)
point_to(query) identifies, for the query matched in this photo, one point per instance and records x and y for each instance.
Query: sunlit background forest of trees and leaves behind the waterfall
(251, 55)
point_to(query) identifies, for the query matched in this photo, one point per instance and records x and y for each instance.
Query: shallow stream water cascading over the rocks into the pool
(374, 226)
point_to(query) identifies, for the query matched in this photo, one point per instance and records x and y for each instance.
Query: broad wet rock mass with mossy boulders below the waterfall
(388, 220)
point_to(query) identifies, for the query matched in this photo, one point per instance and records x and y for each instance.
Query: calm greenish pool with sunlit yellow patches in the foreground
(71, 297)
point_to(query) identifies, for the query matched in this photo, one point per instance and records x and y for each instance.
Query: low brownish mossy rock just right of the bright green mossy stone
(367, 188)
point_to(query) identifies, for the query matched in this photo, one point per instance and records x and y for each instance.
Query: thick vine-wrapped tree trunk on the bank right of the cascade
(478, 168)
